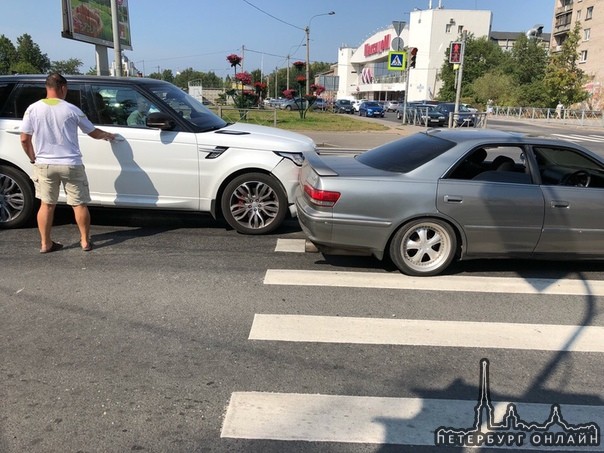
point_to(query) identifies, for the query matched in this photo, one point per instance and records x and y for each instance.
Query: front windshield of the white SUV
(188, 108)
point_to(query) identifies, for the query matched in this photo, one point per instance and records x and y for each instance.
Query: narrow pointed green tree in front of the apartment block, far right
(564, 80)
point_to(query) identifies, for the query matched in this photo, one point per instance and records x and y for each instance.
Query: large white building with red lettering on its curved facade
(363, 72)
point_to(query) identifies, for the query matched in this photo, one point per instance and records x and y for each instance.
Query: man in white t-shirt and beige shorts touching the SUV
(53, 124)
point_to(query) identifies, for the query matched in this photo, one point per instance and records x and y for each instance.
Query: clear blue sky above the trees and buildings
(199, 34)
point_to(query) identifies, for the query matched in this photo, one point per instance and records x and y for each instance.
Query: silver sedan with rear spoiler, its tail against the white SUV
(443, 194)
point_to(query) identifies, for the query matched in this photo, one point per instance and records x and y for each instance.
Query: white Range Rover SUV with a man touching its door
(184, 158)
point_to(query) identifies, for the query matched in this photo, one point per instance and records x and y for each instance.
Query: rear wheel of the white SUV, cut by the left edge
(17, 201)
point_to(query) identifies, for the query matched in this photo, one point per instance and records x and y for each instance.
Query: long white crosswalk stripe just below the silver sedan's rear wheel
(514, 285)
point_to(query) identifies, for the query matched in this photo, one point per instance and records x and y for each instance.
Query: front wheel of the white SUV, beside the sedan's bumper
(254, 203)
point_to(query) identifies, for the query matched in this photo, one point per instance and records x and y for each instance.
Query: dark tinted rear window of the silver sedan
(406, 154)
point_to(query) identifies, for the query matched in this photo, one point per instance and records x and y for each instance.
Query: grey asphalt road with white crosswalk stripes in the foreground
(177, 334)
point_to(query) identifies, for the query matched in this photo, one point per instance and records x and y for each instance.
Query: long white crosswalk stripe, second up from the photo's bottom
(416, 332)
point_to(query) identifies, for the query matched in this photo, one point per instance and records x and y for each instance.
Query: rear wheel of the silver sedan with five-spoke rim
(423, 247)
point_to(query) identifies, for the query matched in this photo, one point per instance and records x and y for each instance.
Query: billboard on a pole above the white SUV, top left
(91, 21)
